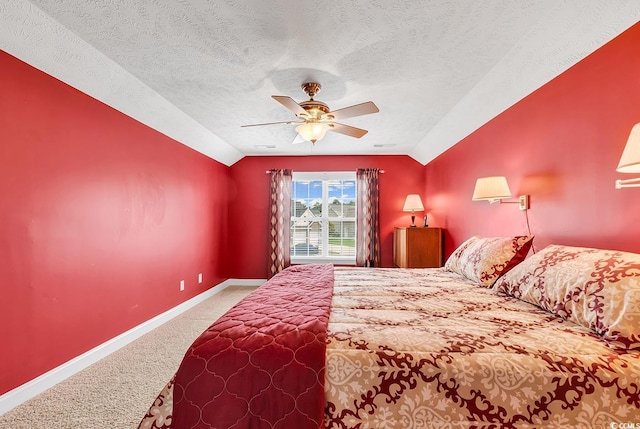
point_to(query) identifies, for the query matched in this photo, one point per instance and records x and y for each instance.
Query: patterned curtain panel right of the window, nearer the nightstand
(368, 218)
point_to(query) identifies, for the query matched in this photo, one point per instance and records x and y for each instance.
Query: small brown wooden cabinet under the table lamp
(417, 247)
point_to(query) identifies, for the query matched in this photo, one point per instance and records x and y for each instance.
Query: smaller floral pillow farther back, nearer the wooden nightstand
(484, 259)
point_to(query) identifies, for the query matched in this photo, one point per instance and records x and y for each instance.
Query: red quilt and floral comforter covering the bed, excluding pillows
(403, 349)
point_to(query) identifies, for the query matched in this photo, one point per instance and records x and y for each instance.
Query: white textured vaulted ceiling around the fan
(197, 70)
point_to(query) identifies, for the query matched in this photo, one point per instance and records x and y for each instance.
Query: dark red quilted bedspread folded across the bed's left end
(262, 364)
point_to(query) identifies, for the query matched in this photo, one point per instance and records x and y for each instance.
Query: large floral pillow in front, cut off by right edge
(598, 289)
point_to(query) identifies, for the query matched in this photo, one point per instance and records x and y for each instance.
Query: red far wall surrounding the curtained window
(249, 196)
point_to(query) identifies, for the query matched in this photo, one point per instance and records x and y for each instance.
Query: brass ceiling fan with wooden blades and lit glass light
(315, 118)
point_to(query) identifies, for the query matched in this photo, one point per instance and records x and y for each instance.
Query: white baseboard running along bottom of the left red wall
(34, 387)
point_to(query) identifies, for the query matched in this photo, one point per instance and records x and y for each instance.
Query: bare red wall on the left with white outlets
(100, 218)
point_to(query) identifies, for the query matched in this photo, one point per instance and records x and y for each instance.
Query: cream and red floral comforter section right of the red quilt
(424, 348)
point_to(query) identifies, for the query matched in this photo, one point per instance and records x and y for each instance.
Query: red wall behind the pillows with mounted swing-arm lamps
(561, 145)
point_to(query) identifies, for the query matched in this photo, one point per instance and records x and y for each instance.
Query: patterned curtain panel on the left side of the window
(280, 221)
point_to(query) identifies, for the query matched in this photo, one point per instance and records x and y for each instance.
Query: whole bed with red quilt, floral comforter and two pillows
(490, 340)
